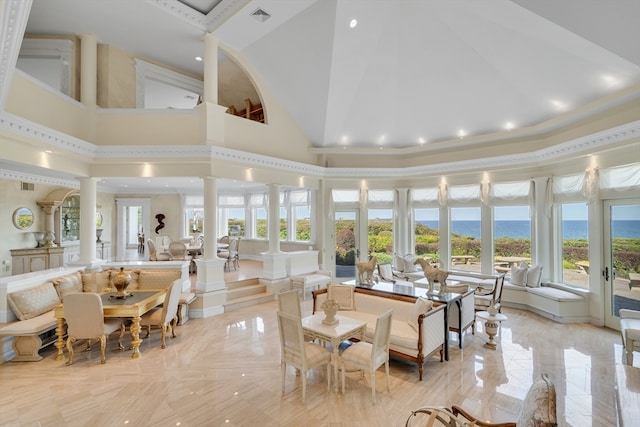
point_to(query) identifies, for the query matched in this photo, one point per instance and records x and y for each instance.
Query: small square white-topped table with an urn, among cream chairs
(346, 328)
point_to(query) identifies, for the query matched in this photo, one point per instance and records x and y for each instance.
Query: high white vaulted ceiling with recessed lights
(410, 72)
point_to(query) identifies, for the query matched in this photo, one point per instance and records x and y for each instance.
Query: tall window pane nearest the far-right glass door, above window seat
(575, 243)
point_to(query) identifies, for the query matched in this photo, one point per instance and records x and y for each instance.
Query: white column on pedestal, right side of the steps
(274, 262)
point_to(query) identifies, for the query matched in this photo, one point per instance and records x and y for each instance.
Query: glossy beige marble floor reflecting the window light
(225, 371)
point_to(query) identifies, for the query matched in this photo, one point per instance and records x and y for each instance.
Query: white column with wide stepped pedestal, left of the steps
(211, 290)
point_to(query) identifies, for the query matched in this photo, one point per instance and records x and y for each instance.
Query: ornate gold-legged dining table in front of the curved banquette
(137, 303)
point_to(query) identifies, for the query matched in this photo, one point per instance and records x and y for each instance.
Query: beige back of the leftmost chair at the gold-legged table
(84, 315)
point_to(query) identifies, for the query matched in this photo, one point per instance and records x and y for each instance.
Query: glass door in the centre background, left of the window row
(347, 250)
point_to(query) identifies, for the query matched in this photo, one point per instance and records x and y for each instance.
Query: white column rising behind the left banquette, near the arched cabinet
(88, 220)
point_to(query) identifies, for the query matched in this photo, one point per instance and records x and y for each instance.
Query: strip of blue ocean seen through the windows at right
(522, 229)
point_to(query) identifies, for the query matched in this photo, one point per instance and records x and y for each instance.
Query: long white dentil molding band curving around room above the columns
(579, 146)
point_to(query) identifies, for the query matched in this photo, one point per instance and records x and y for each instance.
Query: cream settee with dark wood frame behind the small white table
(417, 329)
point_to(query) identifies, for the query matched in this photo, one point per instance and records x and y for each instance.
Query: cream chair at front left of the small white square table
(295, 351)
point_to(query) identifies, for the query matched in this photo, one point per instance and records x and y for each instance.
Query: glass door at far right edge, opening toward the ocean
(622, 257)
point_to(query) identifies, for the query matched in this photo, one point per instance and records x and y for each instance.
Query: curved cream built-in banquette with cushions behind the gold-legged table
(33, 298)
